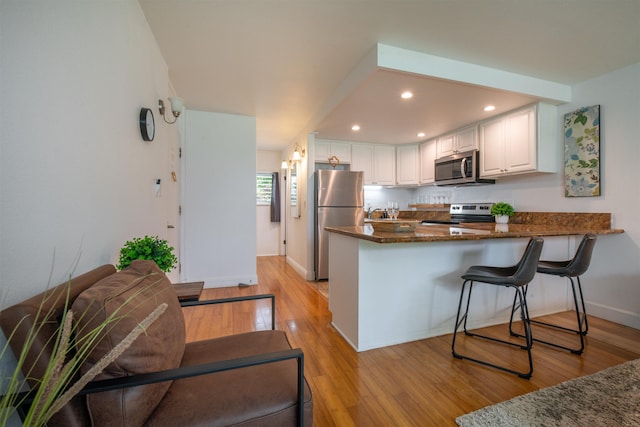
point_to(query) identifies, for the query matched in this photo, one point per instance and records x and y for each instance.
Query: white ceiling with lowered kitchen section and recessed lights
(296, 65)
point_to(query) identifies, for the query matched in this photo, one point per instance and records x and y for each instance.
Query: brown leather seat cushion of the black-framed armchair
(261, 395)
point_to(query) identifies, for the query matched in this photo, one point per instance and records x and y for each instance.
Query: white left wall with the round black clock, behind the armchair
(77, 180)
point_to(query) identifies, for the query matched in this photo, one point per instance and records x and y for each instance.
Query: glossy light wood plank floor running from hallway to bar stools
(413, 384)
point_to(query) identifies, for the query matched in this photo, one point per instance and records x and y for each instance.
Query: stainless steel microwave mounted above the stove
(460, 169)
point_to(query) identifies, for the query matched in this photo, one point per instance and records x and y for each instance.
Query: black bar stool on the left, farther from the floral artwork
(516, 277)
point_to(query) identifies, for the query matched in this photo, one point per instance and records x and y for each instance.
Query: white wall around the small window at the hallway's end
(268, 234)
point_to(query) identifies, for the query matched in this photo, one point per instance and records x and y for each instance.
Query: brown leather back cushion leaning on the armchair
(131, 295)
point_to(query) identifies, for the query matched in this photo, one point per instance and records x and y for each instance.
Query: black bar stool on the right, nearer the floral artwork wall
(573, 268)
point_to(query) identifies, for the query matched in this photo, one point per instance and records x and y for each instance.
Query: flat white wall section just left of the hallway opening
(219, 199)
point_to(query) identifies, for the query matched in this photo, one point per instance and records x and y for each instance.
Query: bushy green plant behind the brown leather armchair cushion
(152, 248)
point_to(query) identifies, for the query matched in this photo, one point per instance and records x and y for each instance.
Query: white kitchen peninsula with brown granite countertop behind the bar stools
(388, 288)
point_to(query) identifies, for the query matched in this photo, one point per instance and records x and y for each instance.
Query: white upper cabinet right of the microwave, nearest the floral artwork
(521, 141)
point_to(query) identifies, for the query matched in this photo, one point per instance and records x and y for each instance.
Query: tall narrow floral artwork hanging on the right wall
(582, 152)
